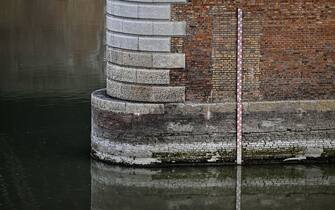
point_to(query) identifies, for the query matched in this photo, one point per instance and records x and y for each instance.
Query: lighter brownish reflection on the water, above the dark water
(50, 48)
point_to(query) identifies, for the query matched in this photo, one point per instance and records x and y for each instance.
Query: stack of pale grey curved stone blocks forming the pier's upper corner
(139, 57)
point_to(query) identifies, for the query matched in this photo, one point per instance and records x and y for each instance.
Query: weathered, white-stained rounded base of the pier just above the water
(206, 133)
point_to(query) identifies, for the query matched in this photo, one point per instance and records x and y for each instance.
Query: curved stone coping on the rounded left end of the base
(101, 101)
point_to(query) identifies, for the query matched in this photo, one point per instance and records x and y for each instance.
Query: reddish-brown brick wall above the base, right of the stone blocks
(289, 49)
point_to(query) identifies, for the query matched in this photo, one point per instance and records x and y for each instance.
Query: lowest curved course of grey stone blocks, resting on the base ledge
(145, 93)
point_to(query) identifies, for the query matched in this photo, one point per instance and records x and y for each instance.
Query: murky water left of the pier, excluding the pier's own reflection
(51, 56)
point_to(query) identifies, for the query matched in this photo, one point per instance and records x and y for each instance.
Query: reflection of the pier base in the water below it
(258, 187)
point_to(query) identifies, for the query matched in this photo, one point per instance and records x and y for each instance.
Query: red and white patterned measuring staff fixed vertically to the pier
(239, 87)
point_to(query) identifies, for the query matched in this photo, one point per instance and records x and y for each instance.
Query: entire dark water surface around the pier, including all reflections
(51, 54)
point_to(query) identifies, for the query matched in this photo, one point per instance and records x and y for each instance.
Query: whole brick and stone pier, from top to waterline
(171, 82)
